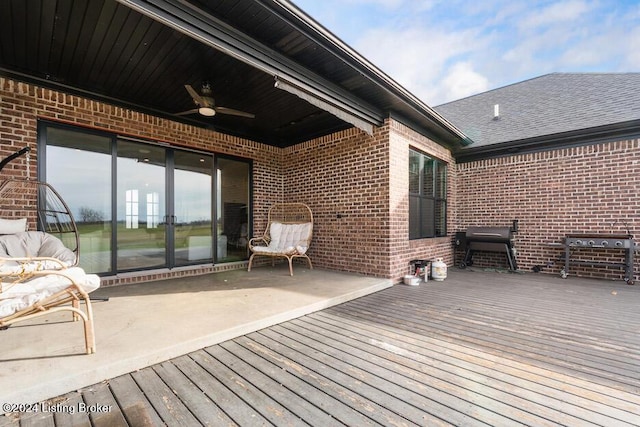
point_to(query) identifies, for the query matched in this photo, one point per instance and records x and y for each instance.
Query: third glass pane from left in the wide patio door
(191, 218)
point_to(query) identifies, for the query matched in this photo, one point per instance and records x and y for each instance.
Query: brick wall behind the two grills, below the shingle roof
(588, 189)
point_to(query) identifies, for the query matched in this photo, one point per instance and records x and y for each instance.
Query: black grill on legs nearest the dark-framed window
(489, 239)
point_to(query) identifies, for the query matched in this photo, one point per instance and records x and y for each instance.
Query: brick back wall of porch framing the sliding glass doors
(22, 105)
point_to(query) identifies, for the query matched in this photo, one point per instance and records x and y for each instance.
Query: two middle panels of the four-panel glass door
(164, 207)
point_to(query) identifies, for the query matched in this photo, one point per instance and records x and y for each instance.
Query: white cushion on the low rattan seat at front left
(23, 295)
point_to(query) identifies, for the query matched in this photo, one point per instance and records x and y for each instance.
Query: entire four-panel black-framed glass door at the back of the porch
(144, 206)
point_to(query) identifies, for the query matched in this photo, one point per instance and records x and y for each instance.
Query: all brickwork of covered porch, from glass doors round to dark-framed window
(356, 184)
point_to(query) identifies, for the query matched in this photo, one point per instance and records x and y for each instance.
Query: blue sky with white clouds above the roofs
(444, 50)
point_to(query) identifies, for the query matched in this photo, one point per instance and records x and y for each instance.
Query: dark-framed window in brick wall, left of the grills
(427, 196)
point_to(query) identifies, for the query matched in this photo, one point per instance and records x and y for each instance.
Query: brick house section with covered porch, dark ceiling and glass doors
(160, 190)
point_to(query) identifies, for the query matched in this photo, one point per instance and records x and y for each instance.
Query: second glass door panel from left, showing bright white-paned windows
(141, 203)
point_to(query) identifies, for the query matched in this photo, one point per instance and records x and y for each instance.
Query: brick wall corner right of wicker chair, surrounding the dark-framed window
(357, 187)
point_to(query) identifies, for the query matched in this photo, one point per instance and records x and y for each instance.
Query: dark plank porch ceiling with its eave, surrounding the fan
(140, 54)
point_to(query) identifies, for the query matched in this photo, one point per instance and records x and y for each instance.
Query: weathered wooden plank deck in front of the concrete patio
(477, 349)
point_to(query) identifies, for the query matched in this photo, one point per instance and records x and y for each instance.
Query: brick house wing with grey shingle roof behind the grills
(561, 154)
